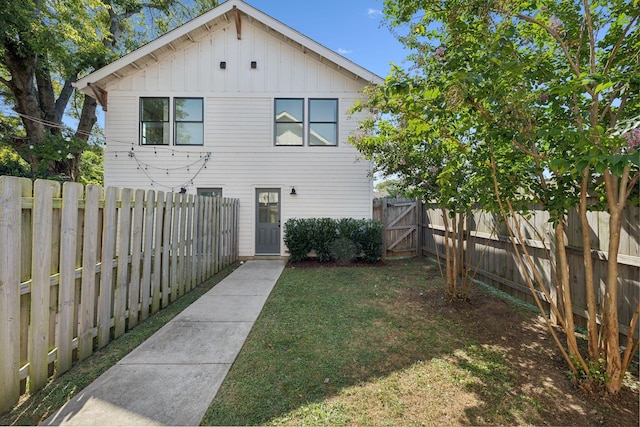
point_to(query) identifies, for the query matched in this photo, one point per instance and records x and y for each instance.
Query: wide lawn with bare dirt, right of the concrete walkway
(379, 346)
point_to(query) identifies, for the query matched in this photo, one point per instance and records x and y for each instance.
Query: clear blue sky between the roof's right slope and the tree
(352, 28)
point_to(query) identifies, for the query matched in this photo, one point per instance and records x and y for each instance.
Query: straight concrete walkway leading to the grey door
(173, 376)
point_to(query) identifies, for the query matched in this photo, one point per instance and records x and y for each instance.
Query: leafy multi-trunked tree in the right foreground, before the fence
(539, 102)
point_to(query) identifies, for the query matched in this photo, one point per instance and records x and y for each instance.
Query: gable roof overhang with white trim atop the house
(198, 28)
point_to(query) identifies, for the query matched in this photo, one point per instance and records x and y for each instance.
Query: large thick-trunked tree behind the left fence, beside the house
(46, 45)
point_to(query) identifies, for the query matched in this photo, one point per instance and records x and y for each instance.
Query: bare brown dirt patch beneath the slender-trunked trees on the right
(539, 371)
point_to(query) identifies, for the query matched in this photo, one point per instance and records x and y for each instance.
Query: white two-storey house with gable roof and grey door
(236, 103)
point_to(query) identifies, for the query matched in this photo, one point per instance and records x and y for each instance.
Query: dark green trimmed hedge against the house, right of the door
(334, 239)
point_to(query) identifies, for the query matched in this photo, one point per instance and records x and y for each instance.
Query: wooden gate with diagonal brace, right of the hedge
(402, 221)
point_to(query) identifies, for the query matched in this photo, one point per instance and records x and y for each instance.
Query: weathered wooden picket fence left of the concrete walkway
(80, 266)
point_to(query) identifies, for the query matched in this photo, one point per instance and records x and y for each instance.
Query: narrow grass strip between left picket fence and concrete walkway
(35, 408)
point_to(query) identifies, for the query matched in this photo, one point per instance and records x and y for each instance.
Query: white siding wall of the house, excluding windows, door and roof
(239, 128)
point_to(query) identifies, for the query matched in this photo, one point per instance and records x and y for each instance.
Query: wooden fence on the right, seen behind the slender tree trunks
(490, 250)
